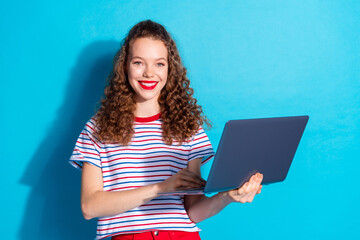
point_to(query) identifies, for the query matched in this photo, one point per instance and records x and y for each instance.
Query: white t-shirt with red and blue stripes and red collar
(146, 160)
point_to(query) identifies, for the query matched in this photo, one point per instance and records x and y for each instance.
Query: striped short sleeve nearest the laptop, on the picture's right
(200, 147)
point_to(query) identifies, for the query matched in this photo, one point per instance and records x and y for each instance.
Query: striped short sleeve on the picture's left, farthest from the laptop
(87, 147)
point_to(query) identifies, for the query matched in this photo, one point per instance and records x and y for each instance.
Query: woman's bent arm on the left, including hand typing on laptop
(95, 202)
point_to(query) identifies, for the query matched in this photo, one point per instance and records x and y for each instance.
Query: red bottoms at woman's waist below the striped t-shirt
(159, 235)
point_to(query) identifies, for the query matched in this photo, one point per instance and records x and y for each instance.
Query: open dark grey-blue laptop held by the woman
(248, 146)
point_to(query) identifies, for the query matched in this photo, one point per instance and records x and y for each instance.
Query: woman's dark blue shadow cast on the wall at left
(53, 208)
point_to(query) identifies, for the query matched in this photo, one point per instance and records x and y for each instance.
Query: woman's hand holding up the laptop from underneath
(248, 191)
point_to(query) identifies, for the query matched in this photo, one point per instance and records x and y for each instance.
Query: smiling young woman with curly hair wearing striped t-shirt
(147, 138)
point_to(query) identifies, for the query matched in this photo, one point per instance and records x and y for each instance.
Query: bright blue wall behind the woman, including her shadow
(246, 59)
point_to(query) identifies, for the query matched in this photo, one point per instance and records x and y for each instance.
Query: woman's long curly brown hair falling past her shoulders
(181, 116)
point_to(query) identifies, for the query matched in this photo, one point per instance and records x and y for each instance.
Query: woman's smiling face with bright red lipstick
(147, 68)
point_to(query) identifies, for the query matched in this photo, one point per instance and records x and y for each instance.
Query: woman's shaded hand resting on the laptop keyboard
(182, 180)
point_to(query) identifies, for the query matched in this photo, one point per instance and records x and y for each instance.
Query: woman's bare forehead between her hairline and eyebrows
(148, 48)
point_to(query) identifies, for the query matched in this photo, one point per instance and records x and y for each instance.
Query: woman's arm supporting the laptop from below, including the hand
(200, 207)
